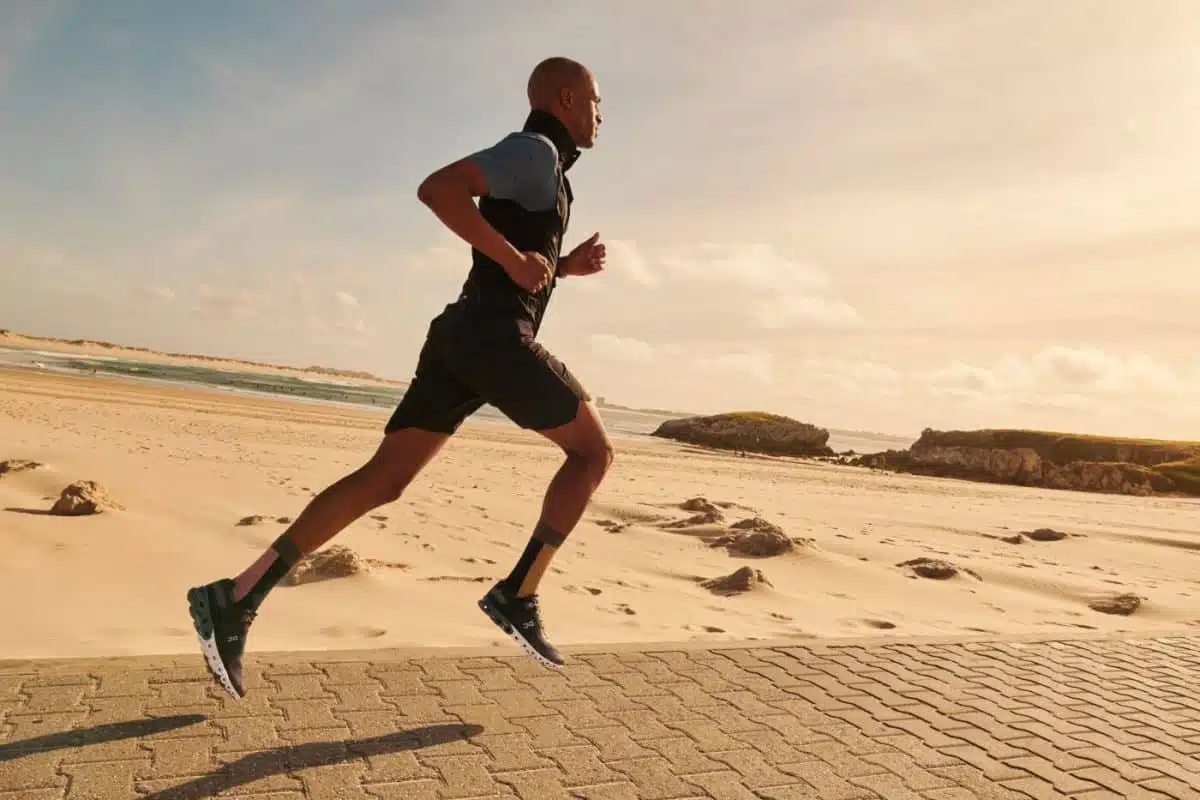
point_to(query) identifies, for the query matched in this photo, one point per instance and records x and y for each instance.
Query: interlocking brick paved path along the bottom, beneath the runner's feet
(1077, 718)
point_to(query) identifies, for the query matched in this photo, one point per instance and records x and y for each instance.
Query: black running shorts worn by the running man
(465, 365)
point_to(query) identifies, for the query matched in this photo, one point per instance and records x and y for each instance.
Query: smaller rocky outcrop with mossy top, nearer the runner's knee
(749, 432)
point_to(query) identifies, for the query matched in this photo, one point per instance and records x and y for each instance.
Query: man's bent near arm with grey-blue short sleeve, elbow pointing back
(515, 170)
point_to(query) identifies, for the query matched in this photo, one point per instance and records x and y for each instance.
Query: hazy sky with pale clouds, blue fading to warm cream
(881, 215)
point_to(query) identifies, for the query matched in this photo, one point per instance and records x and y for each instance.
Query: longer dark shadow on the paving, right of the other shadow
(284, 761)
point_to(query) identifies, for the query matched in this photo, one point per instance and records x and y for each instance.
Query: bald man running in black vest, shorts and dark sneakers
(481, 350)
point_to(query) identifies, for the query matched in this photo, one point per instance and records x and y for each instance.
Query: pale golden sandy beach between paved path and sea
(188, 465)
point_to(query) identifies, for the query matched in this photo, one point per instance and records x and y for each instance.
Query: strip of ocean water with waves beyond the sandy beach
(620, 423)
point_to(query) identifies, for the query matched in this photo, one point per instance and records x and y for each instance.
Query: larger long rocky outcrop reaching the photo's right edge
(1051, 460)
